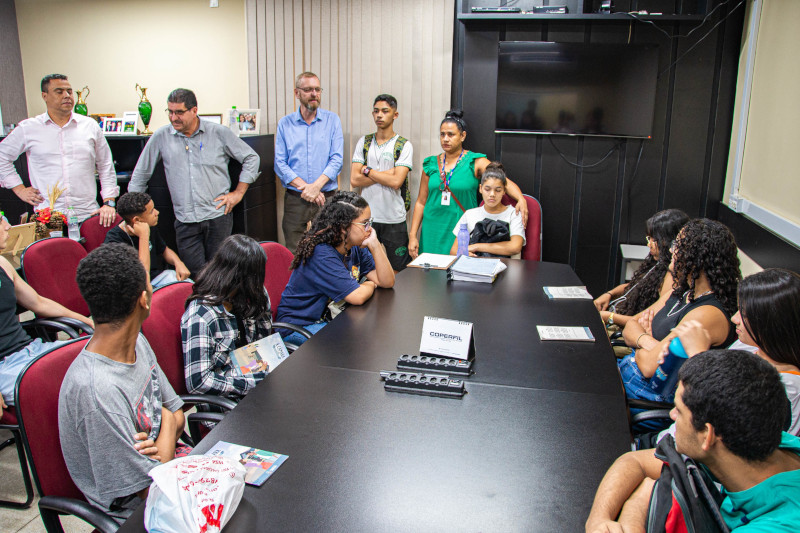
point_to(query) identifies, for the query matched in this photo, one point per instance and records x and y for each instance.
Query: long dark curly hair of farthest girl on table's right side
(645, 286)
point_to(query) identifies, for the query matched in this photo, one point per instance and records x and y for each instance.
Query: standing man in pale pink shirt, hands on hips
(63, 148)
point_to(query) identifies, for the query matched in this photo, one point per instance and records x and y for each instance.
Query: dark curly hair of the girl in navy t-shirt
(330, 225)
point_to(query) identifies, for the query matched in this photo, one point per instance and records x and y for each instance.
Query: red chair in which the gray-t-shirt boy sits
(37, 410)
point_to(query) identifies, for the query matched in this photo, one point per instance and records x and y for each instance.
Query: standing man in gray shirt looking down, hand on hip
(196, 154)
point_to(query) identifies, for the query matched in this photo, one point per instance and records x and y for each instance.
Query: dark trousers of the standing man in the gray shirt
(198, 241)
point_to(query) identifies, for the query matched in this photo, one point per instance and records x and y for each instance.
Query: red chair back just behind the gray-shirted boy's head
(49, 266)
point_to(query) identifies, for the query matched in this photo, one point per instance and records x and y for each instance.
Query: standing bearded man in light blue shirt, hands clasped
(308, 157)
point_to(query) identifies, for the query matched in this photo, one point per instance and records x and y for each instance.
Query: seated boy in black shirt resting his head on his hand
(138, 229)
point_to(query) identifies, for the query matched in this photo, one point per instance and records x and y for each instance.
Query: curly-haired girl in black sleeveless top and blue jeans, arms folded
(705, 270)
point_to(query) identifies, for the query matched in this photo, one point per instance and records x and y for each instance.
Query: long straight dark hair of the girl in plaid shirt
(235, 275)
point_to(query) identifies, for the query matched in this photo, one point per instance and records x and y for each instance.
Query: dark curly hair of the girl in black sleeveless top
(708, 246)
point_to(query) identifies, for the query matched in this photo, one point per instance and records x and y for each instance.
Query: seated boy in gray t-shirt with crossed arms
(118, 416)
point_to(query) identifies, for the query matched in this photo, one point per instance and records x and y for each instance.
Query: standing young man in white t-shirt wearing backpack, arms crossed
(381, 163)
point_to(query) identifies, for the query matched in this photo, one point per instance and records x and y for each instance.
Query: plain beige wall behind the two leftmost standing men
(111, 45)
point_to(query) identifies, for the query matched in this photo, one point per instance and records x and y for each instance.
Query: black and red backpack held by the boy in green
(684, 494)
